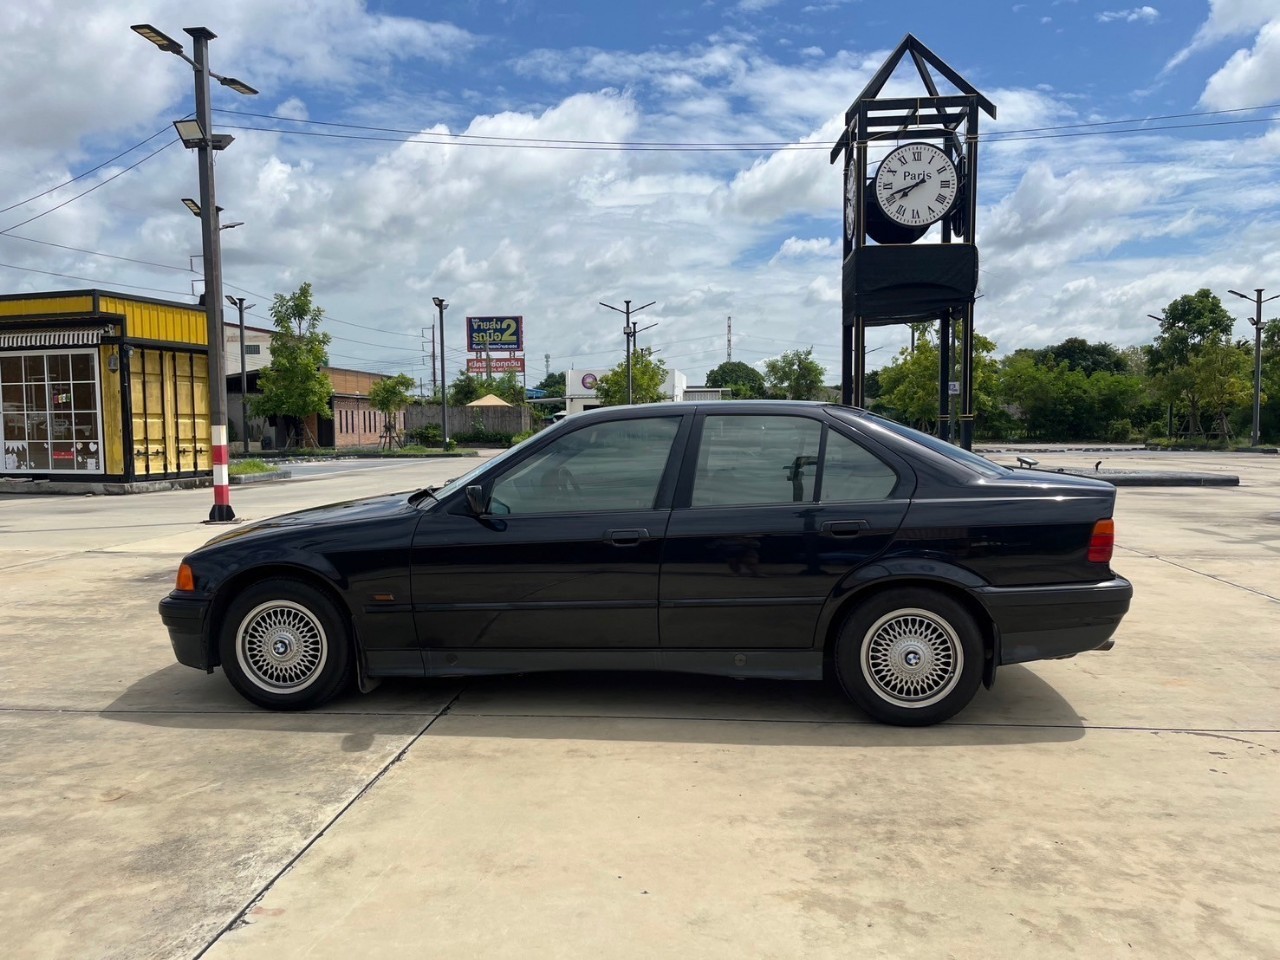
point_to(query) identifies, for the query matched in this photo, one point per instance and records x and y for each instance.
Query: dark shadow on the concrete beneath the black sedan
(592, 706)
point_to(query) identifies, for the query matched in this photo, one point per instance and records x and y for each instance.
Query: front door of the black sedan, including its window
(568, 555)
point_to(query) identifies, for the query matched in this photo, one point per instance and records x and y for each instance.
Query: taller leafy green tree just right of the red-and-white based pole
(294, 385)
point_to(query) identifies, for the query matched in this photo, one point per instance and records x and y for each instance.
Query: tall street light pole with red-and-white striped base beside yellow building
(205, 145)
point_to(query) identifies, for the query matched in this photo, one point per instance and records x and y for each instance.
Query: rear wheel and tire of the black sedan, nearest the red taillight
(909, 657)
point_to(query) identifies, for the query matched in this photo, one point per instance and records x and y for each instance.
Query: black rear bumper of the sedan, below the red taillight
(1050, 623)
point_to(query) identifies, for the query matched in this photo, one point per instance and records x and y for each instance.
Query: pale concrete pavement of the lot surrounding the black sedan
(1116, 804)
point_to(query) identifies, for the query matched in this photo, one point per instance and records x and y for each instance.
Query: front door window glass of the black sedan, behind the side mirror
(615, 467)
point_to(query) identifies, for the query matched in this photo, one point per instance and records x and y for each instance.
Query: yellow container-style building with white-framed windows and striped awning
(104, 387)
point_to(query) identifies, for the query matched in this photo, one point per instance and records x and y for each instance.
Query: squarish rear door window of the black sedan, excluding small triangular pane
(746, 460)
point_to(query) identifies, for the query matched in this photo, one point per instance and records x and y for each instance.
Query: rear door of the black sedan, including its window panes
(772, 513)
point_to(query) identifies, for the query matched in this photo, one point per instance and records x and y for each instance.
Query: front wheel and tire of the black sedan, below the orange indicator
(286, 647)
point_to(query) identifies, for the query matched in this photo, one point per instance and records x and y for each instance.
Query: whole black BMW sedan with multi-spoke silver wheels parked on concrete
(746, 540)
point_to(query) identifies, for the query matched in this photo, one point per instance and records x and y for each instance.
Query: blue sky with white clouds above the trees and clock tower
(505, 157)
